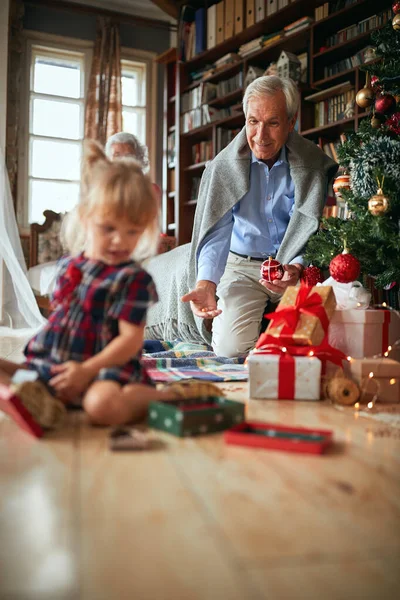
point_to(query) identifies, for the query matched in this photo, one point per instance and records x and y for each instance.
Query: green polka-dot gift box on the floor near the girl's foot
(195, 417)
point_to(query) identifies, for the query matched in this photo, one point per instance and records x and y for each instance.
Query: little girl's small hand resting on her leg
(71, 379)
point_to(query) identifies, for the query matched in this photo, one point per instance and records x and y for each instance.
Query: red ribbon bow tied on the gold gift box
(306, 303)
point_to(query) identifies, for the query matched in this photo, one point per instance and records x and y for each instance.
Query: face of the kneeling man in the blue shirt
(268, 126)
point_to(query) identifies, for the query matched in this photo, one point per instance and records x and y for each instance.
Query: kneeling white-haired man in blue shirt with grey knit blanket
(263, 195)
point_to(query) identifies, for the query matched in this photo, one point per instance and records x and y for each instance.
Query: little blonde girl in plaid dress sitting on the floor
(90, 348)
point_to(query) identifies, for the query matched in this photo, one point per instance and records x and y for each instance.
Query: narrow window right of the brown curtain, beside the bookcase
(134, 98)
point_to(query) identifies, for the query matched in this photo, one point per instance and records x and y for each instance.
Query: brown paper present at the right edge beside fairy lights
(384, 381)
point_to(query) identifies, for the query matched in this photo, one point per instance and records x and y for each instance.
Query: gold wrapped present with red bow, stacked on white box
(302, 316)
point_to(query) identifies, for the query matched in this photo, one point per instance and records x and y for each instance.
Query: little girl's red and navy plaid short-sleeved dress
(89, 300)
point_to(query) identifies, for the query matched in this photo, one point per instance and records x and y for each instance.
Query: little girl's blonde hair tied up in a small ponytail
(118, 188)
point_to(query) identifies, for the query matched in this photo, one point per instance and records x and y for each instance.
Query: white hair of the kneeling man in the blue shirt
(268, 85)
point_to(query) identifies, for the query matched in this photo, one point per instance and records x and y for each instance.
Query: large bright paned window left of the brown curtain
(55, 133)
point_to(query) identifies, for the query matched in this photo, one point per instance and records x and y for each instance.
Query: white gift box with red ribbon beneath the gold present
(268, 374)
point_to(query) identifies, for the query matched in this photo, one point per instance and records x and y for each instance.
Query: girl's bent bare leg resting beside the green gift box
(108, 403)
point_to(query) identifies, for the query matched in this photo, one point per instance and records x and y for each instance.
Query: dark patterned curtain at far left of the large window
(15, 49)
